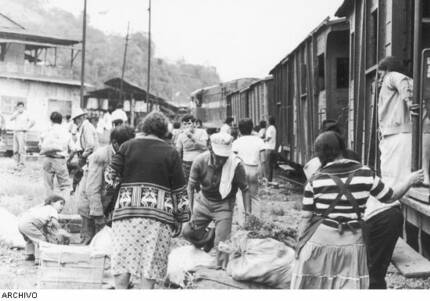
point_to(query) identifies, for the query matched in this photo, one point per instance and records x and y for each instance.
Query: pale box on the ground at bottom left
(70, 267)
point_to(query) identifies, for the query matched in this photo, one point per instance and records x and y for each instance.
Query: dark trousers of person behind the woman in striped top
(382, 232)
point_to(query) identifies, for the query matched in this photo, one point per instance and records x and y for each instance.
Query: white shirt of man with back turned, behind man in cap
(248, 148)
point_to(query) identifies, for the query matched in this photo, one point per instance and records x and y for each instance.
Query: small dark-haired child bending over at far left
(41, 224)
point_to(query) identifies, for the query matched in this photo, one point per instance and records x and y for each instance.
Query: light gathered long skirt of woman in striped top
(330, 260)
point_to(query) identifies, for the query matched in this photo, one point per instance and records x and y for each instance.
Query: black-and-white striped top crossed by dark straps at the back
(321, 190)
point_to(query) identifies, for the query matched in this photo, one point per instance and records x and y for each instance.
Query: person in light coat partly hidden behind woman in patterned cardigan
(95, 202)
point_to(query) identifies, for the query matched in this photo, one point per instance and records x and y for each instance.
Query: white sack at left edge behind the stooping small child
(9, 234)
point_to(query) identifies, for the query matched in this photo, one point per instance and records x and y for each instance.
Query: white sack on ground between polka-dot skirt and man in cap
(185, 259)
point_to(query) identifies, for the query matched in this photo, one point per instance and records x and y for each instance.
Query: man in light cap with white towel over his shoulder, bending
(219, 174)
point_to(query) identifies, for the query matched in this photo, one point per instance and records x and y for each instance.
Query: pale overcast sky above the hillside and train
(241, 38)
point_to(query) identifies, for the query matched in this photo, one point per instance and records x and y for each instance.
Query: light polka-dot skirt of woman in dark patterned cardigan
(140, 247)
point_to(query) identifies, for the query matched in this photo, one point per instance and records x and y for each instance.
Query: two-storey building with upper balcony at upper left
(31, 72)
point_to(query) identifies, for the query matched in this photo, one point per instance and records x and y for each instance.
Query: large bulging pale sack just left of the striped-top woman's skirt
(263, 261)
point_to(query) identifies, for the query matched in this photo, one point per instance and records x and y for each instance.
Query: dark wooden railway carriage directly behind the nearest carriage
(309, 85)
